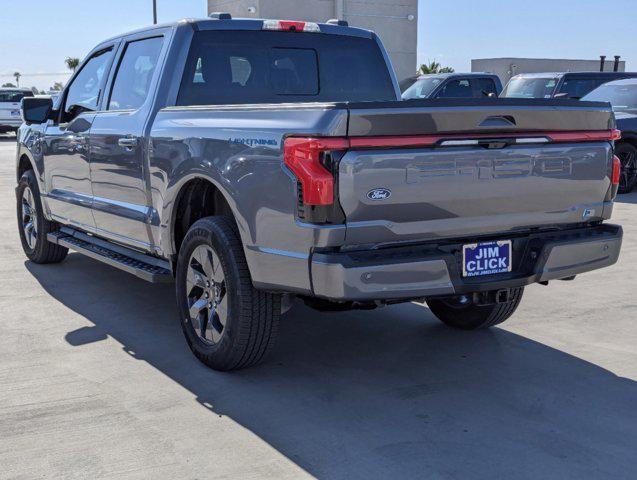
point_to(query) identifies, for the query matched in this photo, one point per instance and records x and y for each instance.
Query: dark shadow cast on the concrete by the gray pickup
(381, 394)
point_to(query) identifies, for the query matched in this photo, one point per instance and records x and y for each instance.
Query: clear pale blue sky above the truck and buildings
(37, 35)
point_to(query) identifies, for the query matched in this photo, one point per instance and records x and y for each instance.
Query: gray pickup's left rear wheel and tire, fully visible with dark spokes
(238, 326)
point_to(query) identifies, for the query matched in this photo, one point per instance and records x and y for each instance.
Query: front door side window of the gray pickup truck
(84, 92)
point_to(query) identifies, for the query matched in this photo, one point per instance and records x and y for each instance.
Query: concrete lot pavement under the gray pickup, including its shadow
(97, 382)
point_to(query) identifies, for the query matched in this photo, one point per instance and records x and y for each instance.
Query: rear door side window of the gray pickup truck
(134, 74)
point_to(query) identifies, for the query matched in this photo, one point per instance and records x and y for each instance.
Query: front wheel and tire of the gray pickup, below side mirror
(34, 237)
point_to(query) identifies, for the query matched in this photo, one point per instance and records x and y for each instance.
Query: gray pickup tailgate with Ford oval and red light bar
(426, 172)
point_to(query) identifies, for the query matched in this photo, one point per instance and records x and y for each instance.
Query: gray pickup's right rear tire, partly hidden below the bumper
(467, 316)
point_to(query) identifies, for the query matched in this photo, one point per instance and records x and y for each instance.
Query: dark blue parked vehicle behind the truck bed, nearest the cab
(453, 85)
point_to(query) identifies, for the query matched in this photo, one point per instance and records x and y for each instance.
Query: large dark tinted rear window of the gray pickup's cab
(241, 67)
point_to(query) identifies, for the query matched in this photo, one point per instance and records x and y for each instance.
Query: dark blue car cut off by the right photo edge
(622, 95)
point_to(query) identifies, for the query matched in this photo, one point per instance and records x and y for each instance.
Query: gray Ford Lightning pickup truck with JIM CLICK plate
(258, 161)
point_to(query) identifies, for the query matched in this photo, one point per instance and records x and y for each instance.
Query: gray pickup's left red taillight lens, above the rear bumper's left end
(303, 157)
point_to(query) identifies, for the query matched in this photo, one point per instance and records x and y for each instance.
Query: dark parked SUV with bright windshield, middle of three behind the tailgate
(559, 85)
